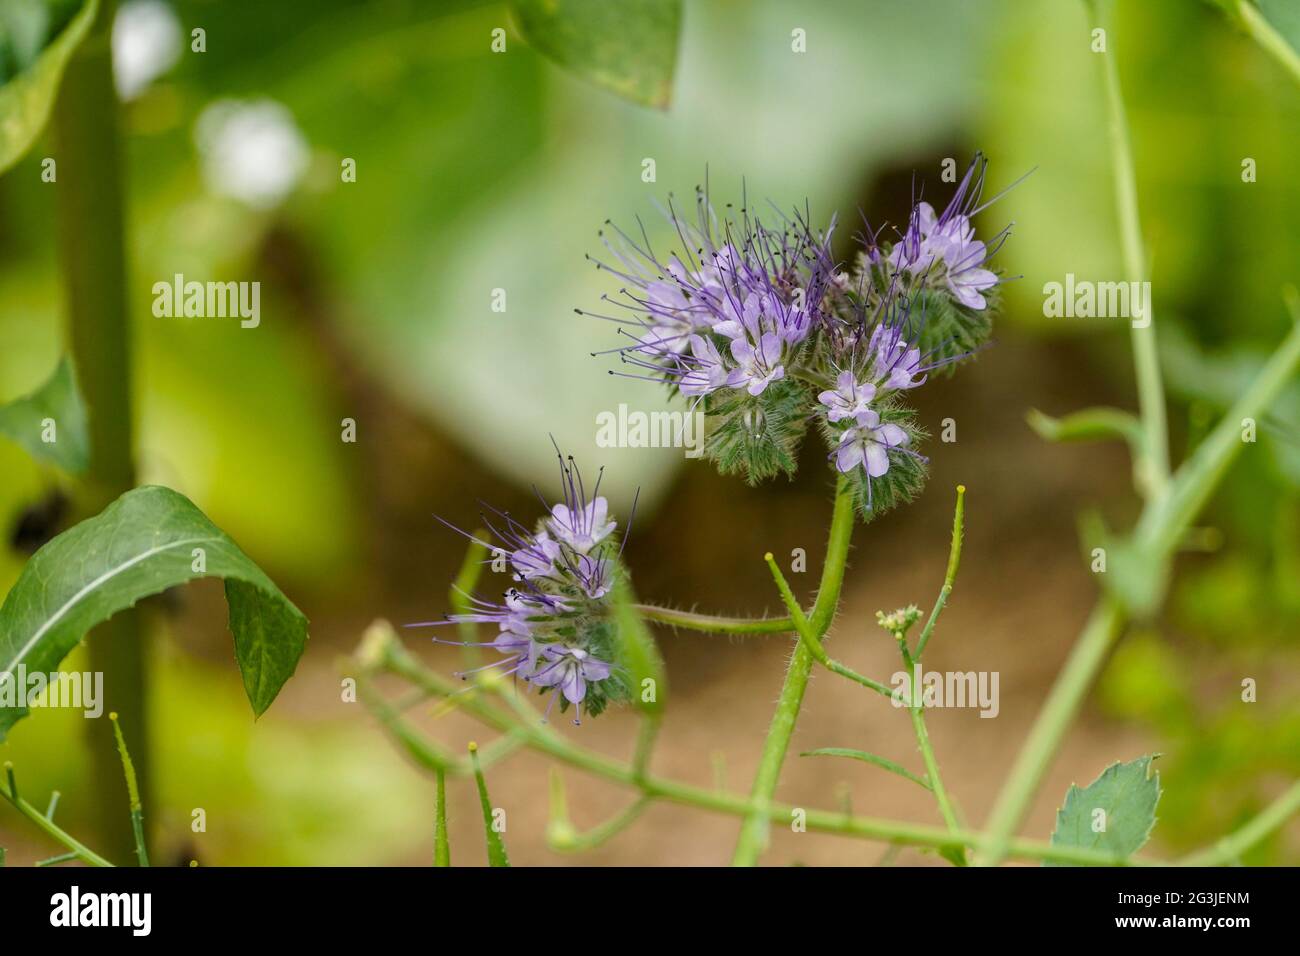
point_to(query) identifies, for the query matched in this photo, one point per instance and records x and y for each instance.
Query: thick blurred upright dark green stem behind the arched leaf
(94, 253)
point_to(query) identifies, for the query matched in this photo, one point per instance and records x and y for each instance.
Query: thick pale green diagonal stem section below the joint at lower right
(1059, 711)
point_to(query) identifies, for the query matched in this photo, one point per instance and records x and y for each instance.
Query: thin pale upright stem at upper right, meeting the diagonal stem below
(1154, 466)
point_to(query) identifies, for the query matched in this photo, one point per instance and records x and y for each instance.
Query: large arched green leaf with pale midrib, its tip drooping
(146, 542)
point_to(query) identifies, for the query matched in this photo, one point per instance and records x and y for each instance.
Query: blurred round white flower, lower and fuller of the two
(252, 152)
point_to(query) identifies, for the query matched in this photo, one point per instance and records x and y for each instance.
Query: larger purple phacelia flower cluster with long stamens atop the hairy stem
(766, 331)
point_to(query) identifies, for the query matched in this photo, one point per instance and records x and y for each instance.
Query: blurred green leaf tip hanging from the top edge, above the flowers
(627, 47)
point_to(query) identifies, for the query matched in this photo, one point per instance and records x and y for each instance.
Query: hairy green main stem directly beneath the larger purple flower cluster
(755, 830)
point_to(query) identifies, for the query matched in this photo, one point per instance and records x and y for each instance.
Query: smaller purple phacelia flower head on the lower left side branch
(556, 625)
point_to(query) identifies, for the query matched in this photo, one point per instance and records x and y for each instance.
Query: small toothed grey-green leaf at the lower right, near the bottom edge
(1115, 814)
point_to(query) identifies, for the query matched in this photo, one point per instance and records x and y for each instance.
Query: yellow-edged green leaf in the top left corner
(28, 97)
